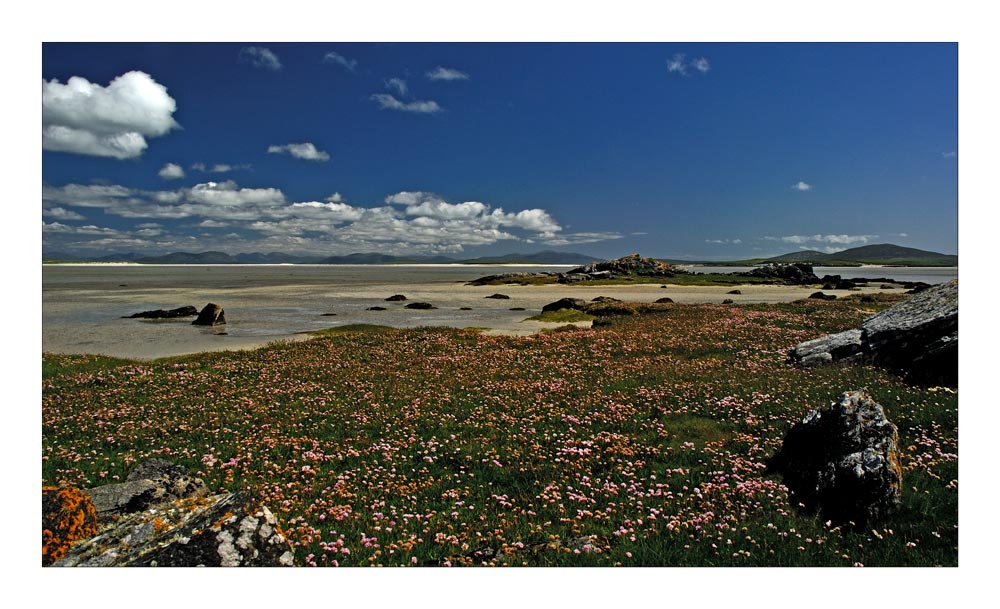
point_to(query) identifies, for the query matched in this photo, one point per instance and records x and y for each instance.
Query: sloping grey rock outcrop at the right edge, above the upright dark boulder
(917, 336)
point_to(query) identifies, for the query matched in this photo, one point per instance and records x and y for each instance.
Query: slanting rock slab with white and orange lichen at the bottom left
(225, 530)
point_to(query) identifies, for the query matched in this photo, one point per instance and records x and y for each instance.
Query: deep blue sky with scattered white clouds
(675, 150)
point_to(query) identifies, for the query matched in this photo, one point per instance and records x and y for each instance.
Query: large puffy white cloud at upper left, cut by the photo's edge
(113, 121)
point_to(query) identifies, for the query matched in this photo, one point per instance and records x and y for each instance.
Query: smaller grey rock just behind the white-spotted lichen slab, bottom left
(152, 481)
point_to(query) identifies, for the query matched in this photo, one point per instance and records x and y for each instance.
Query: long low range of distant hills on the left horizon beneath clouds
(546, 257)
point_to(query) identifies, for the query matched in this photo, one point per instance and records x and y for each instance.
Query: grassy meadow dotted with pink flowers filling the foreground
(639, 443)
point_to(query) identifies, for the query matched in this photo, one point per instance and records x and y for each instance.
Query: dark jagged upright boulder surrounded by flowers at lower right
(843, 461)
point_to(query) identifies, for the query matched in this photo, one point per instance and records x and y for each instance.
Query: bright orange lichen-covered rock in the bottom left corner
(68, 516)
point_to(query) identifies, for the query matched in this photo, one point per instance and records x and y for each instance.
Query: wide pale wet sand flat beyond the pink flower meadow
(88, 321)
